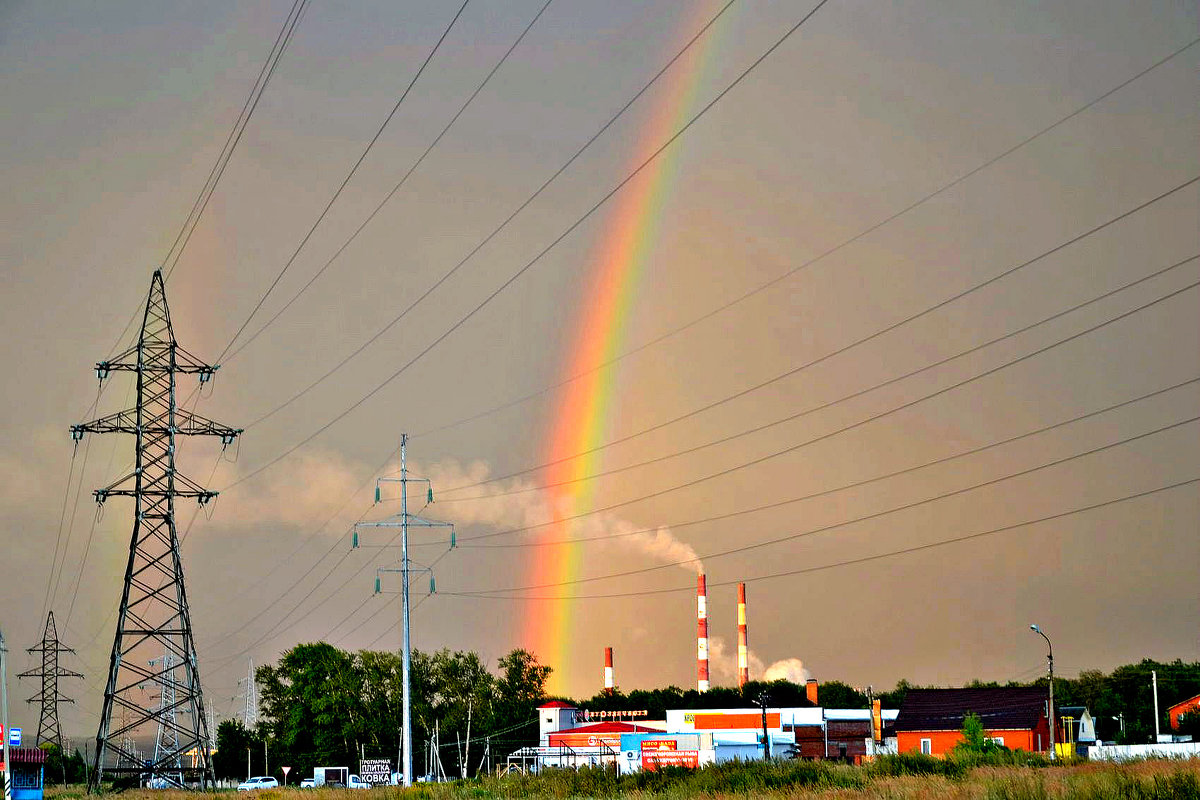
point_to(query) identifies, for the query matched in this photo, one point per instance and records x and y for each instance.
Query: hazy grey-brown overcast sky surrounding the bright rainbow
(116, 113)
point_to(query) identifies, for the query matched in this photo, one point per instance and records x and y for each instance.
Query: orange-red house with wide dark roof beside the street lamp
(931, 720)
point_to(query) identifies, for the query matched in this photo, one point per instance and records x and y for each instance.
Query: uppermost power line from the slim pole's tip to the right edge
(803, 266)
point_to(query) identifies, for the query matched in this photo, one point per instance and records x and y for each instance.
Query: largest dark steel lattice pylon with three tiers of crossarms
(154, 615)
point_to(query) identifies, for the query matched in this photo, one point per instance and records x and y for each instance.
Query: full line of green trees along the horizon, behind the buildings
(323, 707)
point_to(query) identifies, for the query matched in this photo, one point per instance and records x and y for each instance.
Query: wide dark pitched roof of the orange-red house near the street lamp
(999, 709)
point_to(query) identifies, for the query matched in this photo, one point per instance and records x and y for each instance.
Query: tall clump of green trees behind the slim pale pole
(323, 707)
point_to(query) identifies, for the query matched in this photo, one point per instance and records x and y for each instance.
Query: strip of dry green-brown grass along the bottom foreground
(897, 780)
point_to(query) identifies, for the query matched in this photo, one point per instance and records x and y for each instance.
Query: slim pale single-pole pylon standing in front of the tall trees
(404, 521)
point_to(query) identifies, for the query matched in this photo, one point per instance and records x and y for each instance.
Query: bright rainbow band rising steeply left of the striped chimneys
(587, 406)
